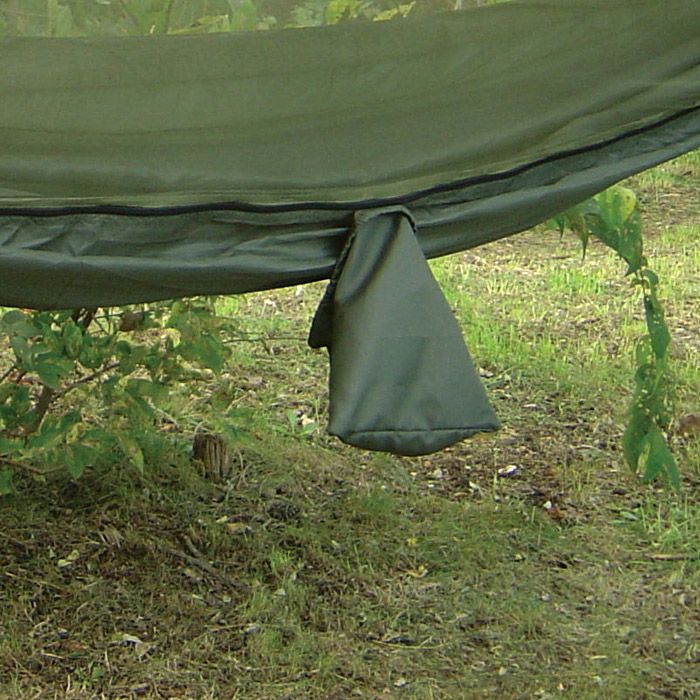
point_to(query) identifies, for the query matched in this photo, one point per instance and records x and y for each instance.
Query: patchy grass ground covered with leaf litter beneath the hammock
(523, 564)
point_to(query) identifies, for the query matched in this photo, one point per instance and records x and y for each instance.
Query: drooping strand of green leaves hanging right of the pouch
(613, 218)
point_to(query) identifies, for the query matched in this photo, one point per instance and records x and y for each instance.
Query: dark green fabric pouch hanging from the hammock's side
(401, 379)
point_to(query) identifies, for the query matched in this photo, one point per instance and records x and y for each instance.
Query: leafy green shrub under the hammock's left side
(91, 386)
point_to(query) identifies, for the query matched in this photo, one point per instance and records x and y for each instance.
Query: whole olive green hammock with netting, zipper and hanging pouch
(134, 169)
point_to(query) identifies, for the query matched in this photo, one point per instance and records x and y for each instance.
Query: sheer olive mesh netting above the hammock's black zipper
(346, 113)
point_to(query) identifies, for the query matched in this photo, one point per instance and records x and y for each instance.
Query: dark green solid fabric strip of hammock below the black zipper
(90, 259)
